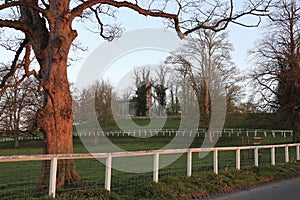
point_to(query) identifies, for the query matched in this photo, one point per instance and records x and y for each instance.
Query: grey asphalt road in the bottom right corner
(283, 190)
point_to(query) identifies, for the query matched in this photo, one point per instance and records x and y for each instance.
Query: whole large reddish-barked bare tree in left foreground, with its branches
(48, 34)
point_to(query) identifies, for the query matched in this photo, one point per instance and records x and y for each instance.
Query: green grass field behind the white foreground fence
(18, 178)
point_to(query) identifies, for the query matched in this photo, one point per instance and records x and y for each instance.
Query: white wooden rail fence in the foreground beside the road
(156, 153)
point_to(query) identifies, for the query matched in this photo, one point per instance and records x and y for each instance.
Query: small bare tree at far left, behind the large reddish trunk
(18, 108)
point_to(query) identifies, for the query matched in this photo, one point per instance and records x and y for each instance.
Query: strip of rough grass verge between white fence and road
(195, 187)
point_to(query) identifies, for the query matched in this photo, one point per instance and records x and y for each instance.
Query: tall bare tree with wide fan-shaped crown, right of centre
(205, 59)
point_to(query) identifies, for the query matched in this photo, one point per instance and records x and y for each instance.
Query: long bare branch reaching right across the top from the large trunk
(195, 23)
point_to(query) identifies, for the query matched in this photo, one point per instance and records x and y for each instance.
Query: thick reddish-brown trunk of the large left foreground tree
(51, 46)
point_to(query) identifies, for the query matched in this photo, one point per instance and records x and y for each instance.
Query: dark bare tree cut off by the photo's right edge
(277, 59)
